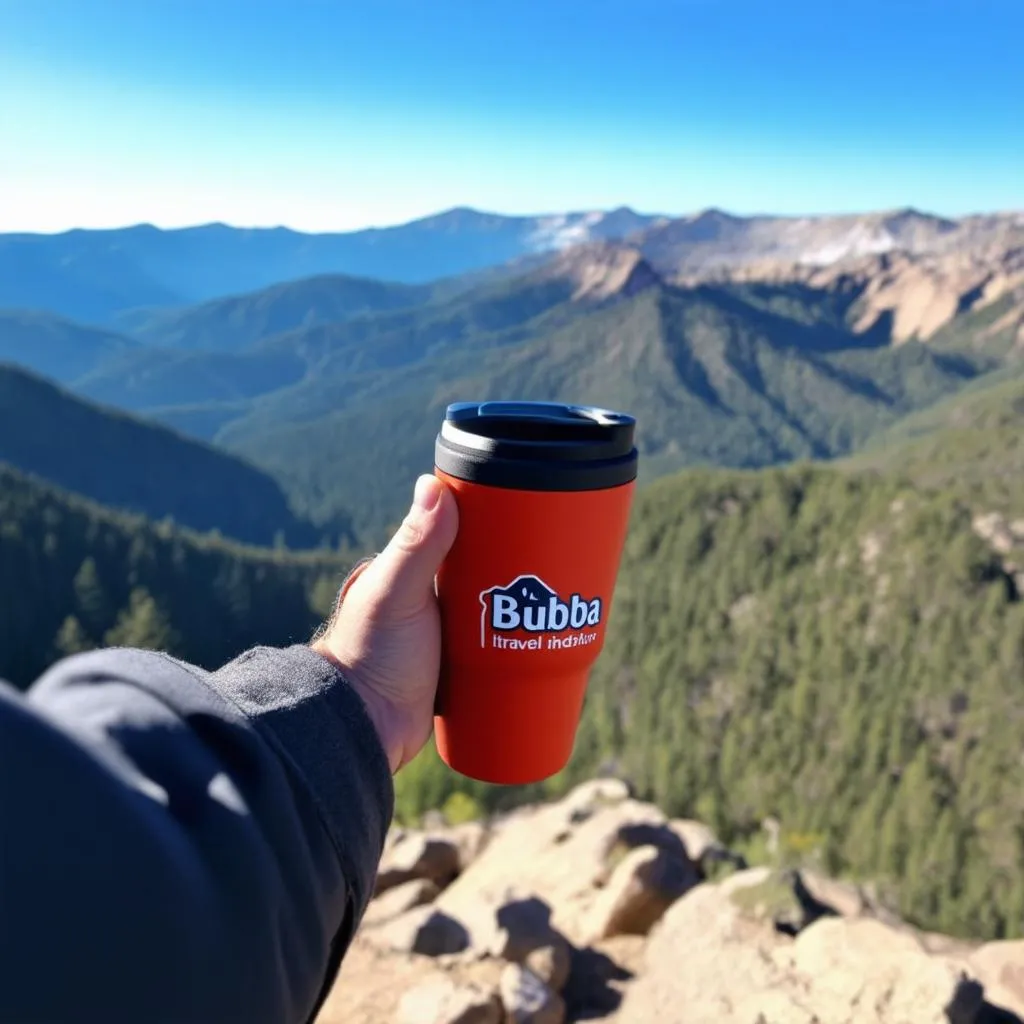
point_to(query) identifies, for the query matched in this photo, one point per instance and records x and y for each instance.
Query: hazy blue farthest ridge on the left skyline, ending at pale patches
(96, 275)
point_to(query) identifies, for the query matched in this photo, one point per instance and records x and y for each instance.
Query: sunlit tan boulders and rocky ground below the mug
(599, 908)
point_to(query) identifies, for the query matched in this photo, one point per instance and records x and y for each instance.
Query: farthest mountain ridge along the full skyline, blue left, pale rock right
(95, 276)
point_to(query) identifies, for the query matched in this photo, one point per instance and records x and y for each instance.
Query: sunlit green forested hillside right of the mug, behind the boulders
(842, 652)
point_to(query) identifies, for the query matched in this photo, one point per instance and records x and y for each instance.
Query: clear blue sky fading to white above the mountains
(332, 115)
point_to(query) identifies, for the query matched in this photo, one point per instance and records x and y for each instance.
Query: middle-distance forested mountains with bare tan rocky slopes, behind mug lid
(731, 353)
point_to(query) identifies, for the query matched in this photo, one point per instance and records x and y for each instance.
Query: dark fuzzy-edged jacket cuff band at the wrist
(305, 708)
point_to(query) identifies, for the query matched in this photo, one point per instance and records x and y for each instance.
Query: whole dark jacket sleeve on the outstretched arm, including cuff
(182, 846)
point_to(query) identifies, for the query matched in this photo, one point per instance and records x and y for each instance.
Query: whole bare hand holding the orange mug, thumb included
(386, 631)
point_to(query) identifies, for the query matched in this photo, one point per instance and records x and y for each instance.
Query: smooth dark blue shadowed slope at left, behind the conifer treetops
(125, 462)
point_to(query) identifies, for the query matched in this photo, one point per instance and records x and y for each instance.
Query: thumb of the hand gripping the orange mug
(402, 577)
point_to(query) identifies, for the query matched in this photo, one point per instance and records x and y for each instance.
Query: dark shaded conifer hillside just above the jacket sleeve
(75, 576)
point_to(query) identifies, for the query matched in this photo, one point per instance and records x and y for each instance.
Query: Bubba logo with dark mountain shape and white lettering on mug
(529, 605)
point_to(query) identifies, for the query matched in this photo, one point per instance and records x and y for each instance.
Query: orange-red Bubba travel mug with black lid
(544, 494)
